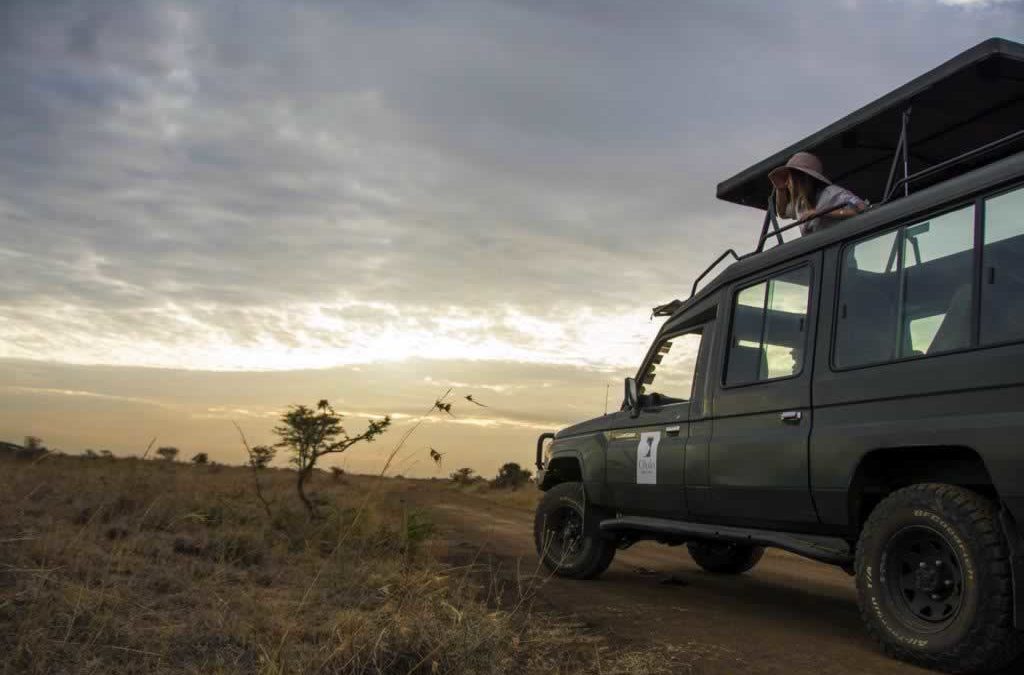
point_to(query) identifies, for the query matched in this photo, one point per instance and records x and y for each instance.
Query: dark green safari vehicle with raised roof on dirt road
(856, 396)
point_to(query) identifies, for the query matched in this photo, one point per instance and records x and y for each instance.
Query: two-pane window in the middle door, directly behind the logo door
(770, 329)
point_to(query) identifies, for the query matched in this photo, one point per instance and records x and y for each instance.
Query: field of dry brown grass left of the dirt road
(146, 567)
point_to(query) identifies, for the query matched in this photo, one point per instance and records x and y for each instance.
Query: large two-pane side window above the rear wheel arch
(908, 293)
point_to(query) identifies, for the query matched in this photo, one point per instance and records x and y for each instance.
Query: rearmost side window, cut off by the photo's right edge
(1003, 270)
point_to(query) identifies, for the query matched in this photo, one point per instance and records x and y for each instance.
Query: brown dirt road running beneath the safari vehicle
(788, 616)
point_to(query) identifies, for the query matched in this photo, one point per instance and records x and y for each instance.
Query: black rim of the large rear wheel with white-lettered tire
(925, 579)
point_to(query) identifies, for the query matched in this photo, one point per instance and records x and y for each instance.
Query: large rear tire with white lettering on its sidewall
(934, 582)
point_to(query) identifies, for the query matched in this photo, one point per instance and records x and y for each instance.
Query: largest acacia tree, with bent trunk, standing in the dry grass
(310, 435)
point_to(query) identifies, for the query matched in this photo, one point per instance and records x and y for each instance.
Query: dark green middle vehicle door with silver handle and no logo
(761, 412)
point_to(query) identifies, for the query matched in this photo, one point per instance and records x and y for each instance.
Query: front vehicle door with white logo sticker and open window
(646, 460)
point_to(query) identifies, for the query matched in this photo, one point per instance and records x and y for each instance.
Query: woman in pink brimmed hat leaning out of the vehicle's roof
(802, 191)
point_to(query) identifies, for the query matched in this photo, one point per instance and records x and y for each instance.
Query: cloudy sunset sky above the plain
(210, 212)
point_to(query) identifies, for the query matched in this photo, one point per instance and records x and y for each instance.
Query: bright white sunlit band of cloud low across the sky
(309, 335)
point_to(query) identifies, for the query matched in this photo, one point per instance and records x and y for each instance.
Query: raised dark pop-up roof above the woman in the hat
(973, 100)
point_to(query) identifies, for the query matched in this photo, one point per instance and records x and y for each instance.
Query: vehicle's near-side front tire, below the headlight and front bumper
(568, 535)
